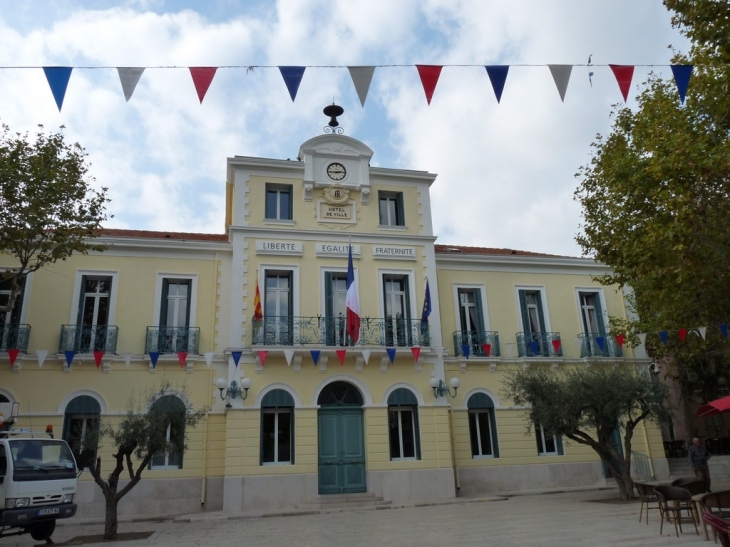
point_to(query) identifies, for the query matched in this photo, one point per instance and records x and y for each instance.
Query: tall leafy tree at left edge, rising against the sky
(48, 207)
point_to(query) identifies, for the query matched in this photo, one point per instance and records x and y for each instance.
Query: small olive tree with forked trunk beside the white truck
(156, 425)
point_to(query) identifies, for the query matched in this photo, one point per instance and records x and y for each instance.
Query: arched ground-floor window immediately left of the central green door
(277, 428)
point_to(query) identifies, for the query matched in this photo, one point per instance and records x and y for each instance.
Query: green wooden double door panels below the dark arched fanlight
(341, 451)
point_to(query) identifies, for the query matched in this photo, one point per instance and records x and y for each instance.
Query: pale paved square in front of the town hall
(567, 519)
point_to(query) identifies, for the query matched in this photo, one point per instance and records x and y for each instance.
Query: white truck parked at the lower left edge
(37, 482)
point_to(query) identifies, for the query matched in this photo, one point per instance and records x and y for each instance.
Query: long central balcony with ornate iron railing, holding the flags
(331, 331)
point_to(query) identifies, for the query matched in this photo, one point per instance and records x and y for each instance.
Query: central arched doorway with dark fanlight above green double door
(341, 440)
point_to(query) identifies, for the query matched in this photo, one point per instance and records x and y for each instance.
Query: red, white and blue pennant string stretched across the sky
(58, 76)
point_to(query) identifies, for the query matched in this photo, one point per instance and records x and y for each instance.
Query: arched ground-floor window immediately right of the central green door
(403, 426)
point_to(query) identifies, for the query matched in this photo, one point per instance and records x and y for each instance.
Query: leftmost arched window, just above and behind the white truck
(81, 428)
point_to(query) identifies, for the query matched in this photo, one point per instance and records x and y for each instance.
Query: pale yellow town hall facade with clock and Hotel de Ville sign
(180, 307)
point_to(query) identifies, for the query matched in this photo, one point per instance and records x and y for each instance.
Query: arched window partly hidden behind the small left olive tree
(169, 412)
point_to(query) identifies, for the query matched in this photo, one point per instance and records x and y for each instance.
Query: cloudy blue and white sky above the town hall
(506, 171)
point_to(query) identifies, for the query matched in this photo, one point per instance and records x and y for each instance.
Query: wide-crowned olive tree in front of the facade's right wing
(587, 404)
